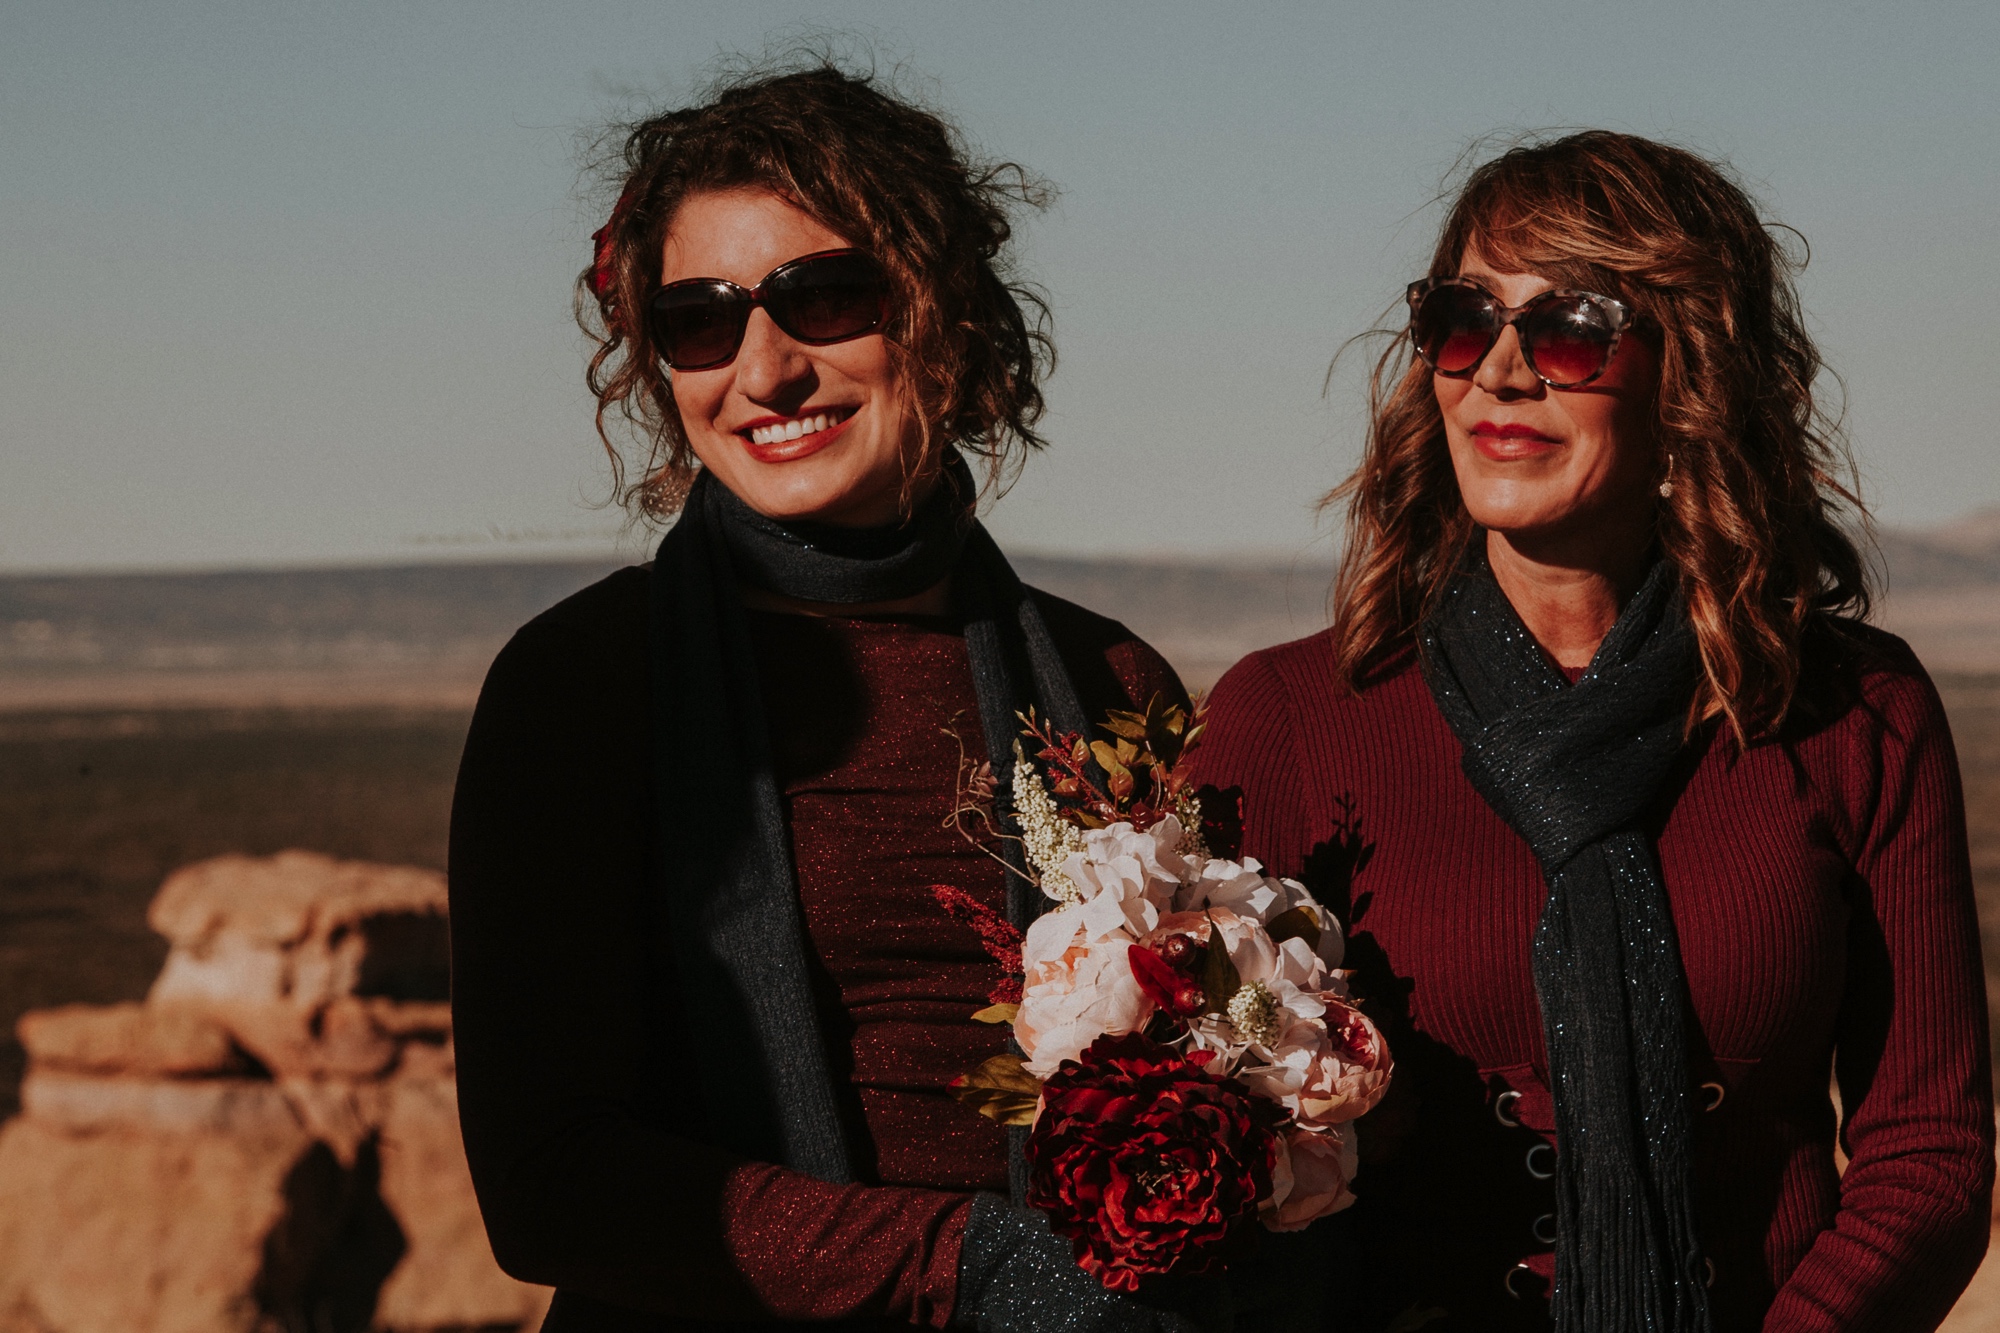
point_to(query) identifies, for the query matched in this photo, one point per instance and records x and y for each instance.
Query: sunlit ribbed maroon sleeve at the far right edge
(1913, 1058)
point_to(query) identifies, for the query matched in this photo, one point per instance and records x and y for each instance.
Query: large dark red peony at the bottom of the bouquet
(1149, 1162)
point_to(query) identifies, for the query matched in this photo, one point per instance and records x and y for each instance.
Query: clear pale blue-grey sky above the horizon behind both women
(289, 283)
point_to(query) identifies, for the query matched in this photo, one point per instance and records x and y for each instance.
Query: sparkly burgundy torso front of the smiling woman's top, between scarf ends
(859, 716)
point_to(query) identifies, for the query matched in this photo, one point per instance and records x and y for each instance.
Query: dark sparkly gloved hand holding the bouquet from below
(1015, 1276)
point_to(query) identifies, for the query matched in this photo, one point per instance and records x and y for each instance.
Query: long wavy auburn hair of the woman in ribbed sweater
(1765, 499)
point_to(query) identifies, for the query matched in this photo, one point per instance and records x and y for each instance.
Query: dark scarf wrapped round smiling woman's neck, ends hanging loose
(725, 856)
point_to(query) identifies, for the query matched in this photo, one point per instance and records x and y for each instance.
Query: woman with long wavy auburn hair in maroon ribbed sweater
(1643, 836)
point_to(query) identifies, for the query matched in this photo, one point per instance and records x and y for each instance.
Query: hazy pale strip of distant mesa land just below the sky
(425, 633)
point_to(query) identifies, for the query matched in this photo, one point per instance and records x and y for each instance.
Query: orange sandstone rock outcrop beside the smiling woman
(271, 1140)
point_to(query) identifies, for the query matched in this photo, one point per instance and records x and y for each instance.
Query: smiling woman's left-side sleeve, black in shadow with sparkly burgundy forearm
(567, 1036)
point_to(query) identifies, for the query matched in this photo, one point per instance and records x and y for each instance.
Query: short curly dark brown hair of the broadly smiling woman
(891, 179)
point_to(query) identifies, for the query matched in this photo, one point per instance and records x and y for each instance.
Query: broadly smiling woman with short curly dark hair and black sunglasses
(717, 944)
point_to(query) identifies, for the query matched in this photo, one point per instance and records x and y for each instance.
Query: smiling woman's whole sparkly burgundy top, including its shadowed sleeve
(579, 1130)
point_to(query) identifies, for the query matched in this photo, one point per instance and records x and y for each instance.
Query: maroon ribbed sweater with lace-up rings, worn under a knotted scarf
(1823, 898)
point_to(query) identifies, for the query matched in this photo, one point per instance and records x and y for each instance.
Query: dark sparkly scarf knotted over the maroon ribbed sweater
(1573, 770)
